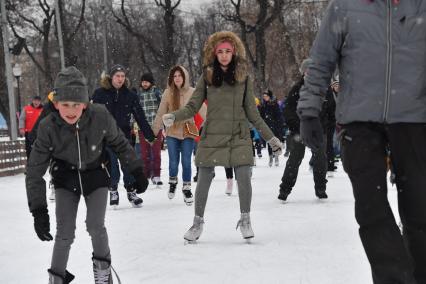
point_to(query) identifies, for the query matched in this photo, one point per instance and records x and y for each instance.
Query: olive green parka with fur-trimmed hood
(225, 139)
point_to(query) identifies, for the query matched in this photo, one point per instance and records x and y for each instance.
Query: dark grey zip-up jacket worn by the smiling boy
(77, 152)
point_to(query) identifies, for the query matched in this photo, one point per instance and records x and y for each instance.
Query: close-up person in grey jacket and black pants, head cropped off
(380, 49)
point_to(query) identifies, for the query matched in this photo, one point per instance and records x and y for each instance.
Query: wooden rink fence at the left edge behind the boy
(12, 157)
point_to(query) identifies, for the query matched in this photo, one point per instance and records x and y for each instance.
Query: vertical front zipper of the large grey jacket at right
(388, 60)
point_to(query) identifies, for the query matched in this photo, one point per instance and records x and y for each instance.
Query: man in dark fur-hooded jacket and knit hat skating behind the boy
(122, 103)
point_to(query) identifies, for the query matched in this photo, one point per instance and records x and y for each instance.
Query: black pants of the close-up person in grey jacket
(393, 257)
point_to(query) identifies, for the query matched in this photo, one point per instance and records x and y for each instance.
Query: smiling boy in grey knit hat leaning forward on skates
(75, 136)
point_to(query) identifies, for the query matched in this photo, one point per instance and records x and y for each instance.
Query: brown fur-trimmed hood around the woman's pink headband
(240, 55)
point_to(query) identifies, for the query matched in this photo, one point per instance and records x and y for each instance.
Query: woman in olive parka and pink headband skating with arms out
(225, 139)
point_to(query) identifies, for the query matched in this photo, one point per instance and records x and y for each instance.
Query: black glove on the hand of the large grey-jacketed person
(311, 132)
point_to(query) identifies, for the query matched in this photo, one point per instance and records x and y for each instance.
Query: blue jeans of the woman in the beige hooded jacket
(175, 147)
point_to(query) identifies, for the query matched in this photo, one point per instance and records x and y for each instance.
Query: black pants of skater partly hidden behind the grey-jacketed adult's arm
(297, 152)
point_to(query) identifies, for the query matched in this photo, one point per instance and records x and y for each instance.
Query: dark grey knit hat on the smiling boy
(71, 85)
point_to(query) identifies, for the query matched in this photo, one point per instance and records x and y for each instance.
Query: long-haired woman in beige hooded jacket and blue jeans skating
(180, 143)
